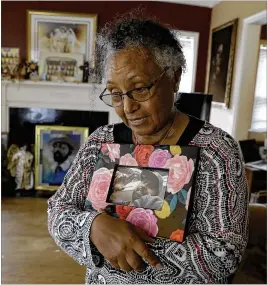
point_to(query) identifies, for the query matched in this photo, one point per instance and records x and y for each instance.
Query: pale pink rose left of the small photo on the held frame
(99, 188)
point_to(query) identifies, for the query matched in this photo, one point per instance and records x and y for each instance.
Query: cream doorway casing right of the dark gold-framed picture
(246, 61)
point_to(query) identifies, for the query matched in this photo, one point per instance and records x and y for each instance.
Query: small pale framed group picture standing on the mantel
(61, 66)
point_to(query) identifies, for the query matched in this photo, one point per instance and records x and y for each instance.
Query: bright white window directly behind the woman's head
(189, 42)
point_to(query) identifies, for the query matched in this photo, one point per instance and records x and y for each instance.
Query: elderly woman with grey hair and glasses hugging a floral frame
(142, 62)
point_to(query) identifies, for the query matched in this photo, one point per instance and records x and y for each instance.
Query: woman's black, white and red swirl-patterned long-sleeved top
(218, 224)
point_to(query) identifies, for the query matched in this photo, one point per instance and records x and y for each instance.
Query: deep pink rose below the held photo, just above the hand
(145, 220)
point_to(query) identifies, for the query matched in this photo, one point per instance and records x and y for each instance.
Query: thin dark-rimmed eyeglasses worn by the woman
(140, 94)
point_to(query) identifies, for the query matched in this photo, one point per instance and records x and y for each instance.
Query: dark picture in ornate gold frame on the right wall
(221, 63)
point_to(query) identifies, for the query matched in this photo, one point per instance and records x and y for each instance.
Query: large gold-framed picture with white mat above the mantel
(61, 33)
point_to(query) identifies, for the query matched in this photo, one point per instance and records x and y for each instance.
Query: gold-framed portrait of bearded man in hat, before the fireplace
(55, 150)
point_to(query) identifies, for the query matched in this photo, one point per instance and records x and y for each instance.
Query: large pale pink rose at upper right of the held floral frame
(180, 173)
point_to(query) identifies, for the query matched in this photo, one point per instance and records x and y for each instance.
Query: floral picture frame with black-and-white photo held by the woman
(149, 186)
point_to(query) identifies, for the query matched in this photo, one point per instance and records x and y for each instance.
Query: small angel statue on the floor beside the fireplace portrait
(20, 166)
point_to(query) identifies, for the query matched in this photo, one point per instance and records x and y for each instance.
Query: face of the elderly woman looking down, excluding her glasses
(129, 69)
